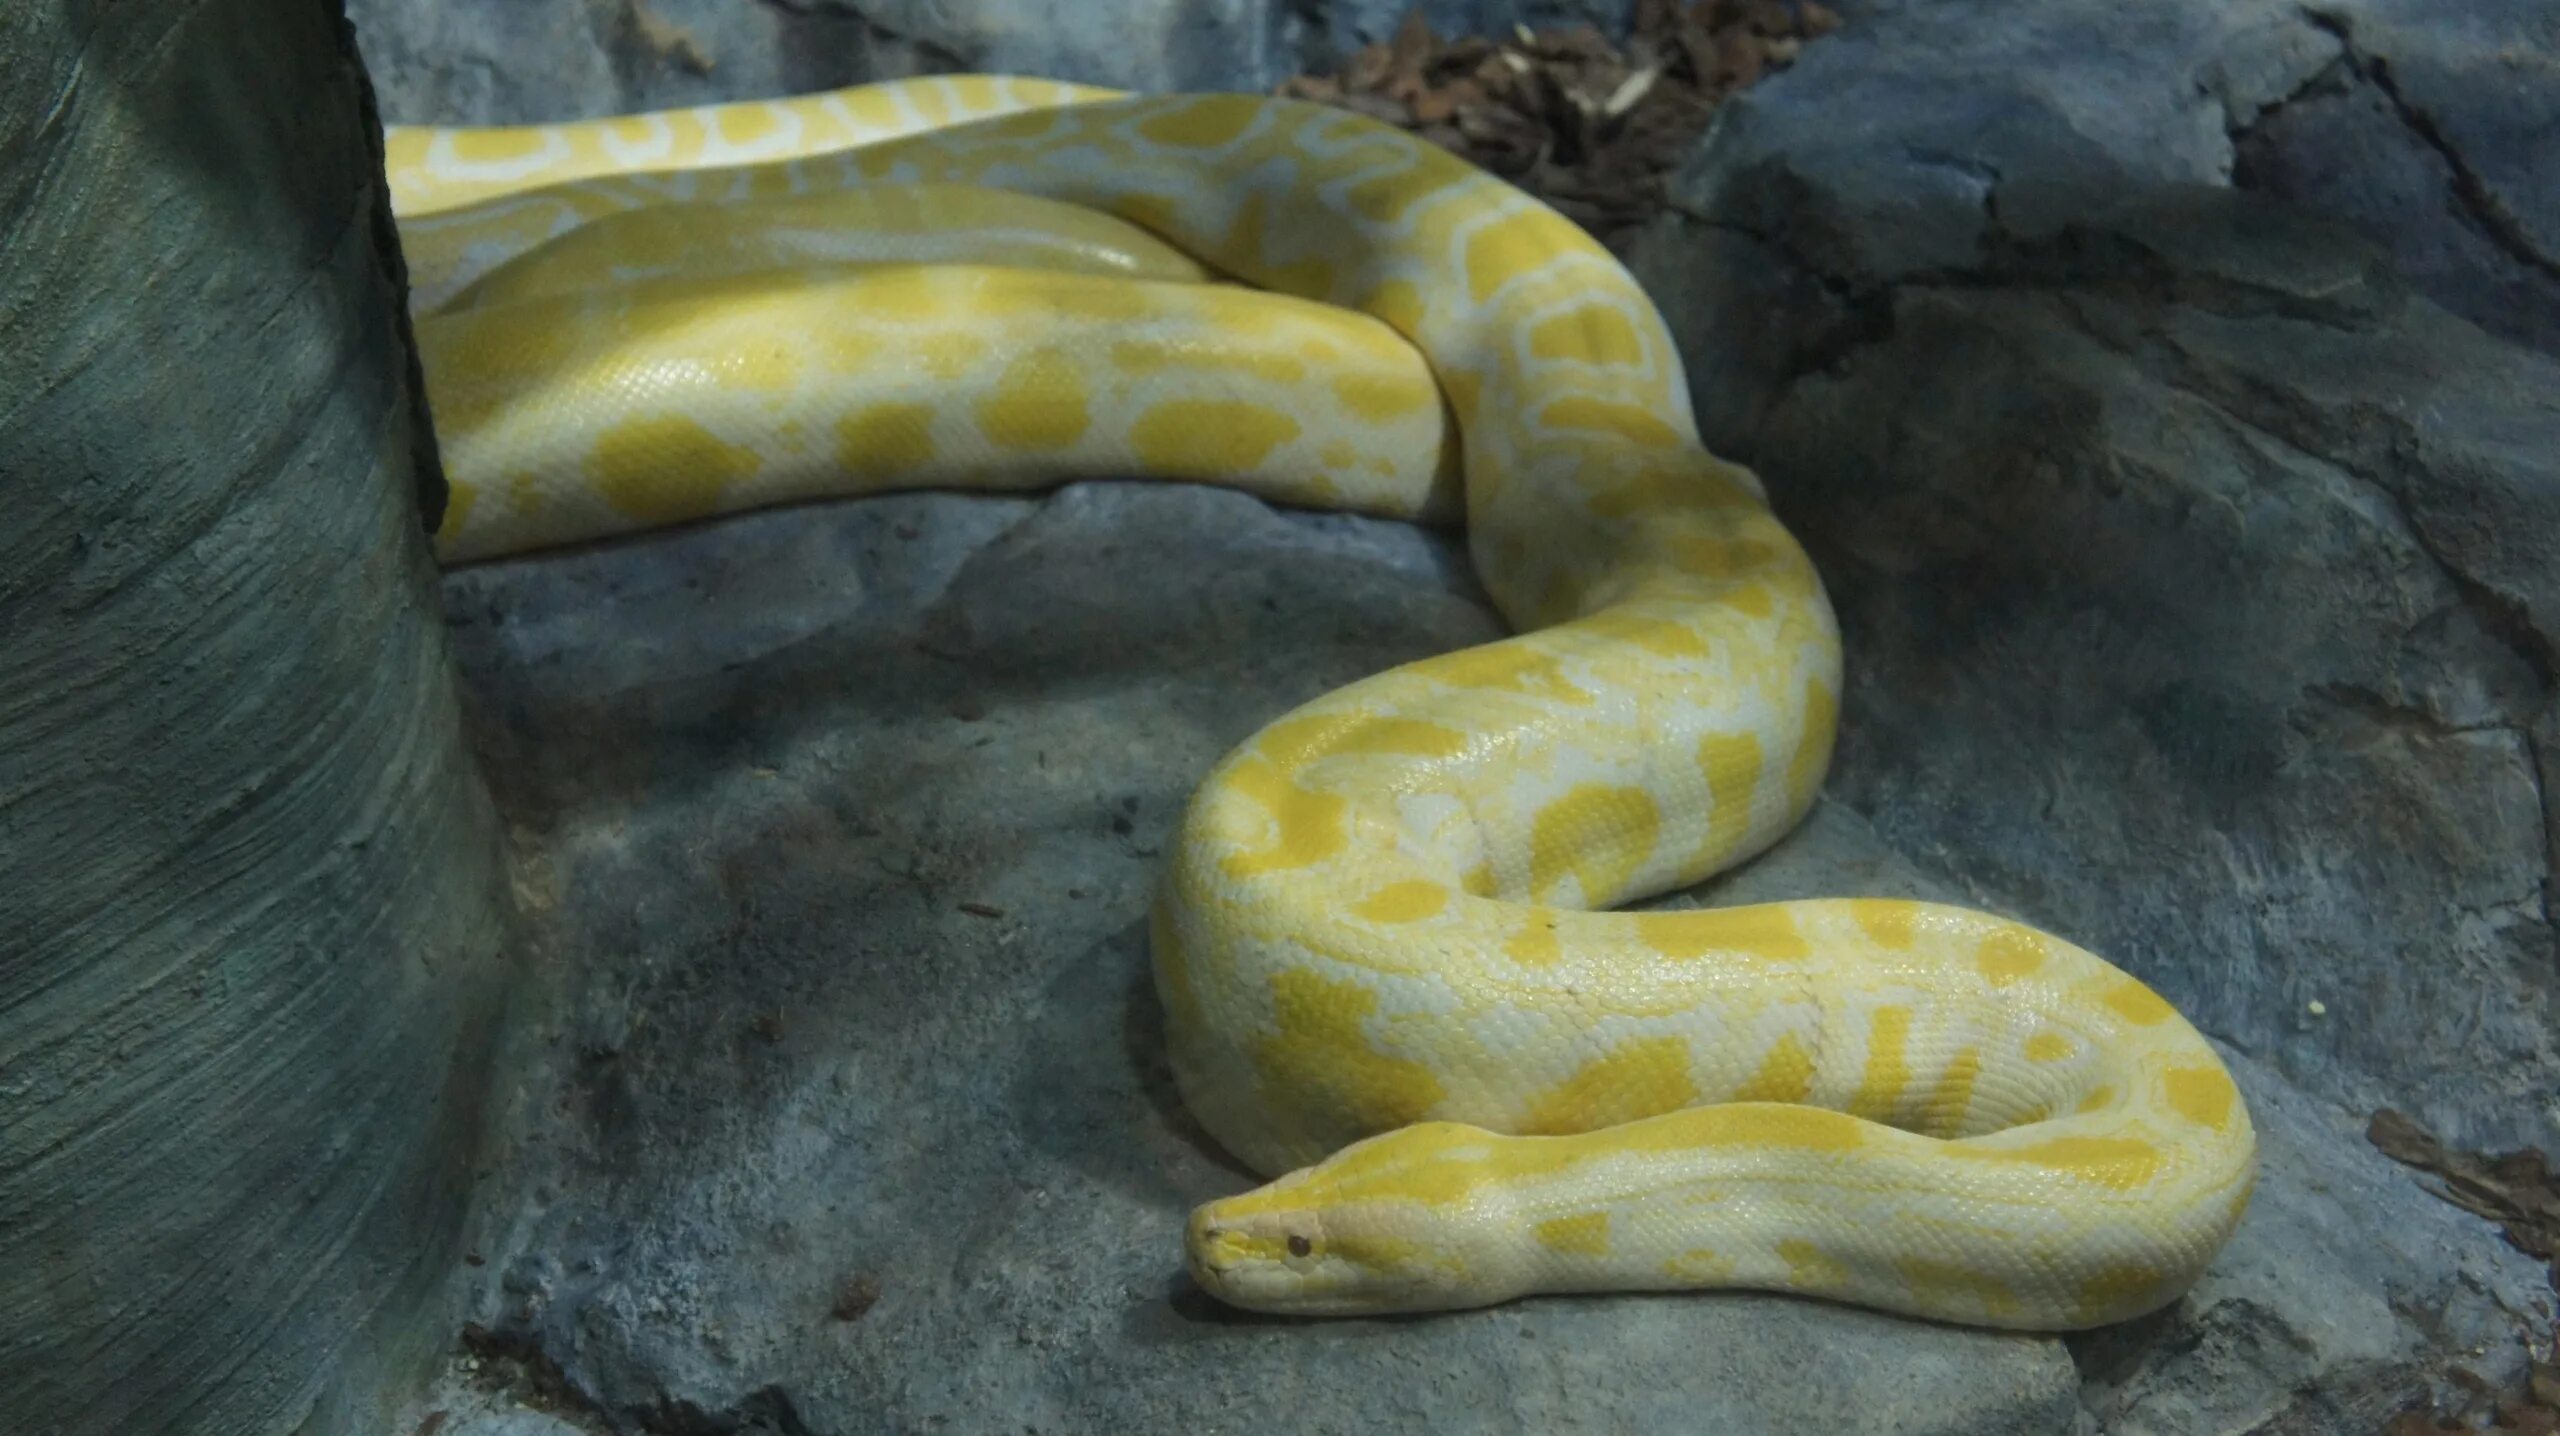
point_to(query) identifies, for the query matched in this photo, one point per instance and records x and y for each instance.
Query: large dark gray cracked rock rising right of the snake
(2195, 570)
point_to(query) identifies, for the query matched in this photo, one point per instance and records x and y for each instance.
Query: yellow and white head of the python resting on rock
(1353, 1238)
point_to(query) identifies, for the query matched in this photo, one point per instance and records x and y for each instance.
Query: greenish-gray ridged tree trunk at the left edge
(250, 884)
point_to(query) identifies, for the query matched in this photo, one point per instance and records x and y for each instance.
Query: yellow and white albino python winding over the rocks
(1379, 941)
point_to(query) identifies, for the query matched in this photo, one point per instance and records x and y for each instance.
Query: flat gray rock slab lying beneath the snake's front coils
(844, 1105)
